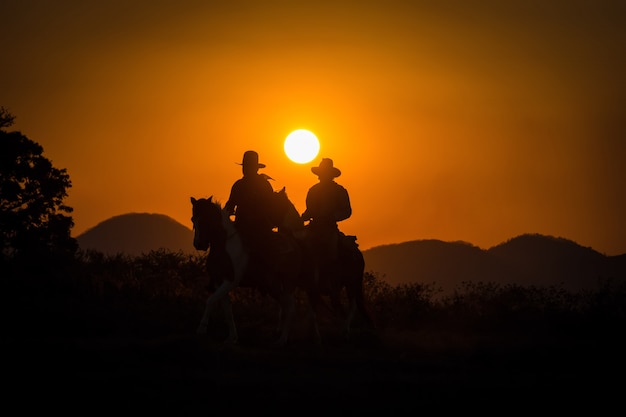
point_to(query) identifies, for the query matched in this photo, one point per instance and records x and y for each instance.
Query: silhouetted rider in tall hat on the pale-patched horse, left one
(250, 201)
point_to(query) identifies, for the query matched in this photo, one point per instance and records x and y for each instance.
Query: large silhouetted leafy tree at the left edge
(34, 222)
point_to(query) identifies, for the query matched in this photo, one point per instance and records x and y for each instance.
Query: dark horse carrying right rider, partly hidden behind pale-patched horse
(329, 278)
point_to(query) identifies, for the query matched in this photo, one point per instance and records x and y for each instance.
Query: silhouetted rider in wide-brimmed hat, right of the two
(327, 203)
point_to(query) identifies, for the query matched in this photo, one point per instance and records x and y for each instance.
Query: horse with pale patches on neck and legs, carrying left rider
(229, 265)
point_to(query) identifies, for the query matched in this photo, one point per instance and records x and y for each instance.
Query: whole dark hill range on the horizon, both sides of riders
(527, 259)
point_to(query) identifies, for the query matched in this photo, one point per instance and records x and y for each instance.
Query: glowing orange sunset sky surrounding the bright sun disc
(450, 120)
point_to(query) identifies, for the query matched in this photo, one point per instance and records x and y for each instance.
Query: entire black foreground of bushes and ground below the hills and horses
(117, 333)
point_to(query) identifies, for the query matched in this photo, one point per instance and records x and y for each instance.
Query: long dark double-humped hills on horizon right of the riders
(529, 259)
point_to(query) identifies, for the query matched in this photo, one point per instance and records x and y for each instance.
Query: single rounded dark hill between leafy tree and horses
(137, 233)
